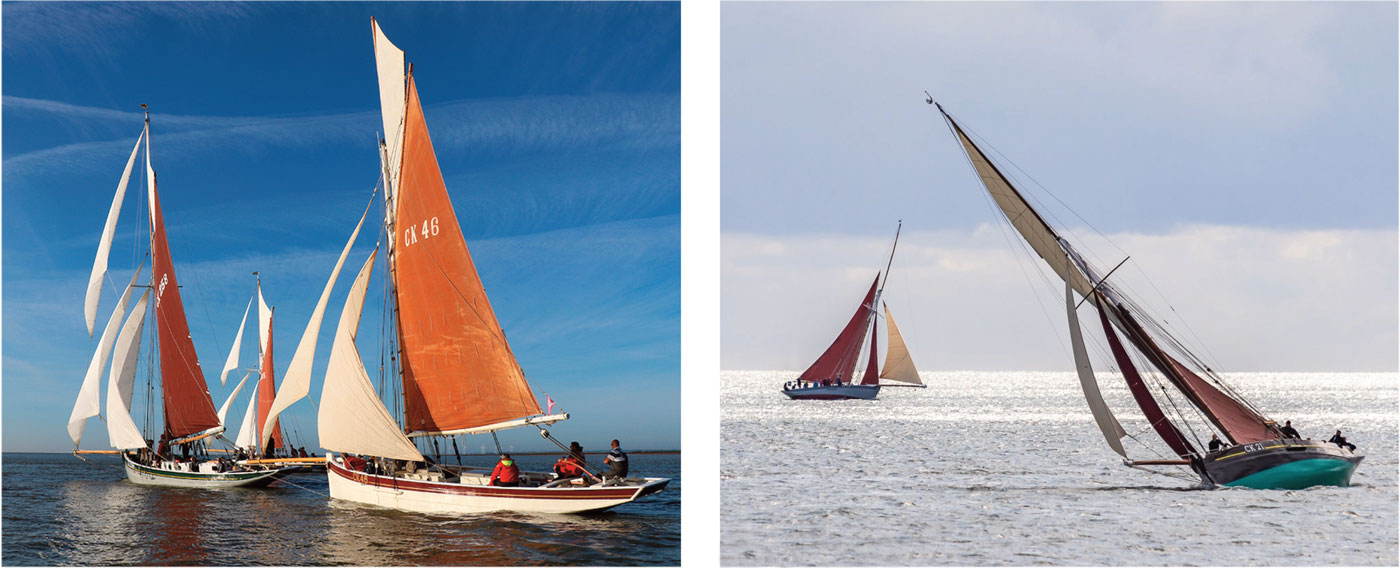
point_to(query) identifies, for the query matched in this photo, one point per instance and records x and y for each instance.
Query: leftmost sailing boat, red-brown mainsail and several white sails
(188, 409)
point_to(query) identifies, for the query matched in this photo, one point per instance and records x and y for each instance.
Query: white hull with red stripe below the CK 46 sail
(451, 497)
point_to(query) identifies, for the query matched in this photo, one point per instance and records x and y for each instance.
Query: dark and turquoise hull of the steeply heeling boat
(1283, 465)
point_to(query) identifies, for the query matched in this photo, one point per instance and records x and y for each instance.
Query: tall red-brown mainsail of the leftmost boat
(188, 406)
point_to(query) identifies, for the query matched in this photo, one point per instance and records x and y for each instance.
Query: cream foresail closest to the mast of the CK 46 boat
(352, 418)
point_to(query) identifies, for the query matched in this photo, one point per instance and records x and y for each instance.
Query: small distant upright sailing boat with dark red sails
(834, 374)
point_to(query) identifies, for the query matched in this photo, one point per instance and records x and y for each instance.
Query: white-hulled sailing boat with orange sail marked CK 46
(457, 369)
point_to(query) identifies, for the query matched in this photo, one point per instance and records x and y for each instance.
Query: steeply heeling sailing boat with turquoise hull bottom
(1256, 453)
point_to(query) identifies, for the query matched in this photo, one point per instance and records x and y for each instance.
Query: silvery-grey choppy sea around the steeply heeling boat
(1009, 468)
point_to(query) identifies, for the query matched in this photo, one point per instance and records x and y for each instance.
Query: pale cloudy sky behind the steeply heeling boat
(1244, 155)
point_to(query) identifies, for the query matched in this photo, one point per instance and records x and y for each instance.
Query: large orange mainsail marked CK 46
(458, 371)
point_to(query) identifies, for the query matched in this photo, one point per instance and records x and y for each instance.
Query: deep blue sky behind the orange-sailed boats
(556, 128)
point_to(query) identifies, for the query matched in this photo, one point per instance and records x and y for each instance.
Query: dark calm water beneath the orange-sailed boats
(61, 511)
